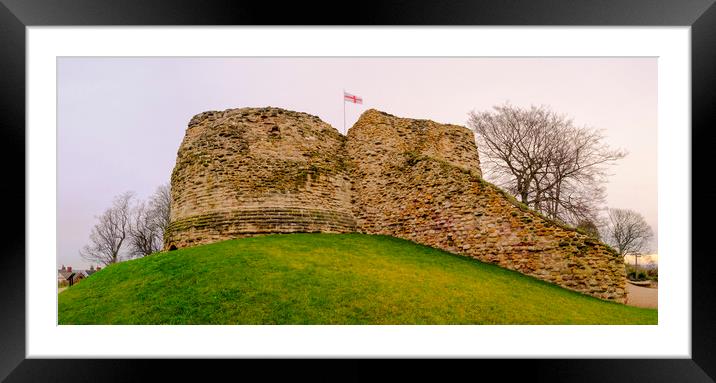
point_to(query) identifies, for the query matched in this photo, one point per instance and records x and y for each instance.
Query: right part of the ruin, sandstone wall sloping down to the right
(407, 189)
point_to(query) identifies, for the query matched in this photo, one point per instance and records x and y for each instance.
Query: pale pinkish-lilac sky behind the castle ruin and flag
(120, 120)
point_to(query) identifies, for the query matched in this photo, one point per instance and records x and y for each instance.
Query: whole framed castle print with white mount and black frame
(76, 76)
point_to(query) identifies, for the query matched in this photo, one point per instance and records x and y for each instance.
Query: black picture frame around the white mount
(700, 15)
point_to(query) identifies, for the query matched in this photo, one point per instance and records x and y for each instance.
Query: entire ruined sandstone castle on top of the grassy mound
(250, 171)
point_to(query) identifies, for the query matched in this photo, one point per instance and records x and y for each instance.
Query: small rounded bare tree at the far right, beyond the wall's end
(628, 232)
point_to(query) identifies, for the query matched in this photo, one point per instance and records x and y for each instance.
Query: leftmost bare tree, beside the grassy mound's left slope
(109, 234)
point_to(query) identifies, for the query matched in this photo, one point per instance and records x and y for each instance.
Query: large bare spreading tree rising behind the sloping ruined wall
(544, 160)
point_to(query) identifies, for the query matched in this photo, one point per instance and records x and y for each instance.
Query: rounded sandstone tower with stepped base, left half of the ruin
(249, 171)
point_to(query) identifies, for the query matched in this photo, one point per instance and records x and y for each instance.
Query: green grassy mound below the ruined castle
(326, 279)
